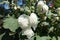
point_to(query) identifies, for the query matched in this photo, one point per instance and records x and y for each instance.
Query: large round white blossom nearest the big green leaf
(23, 21)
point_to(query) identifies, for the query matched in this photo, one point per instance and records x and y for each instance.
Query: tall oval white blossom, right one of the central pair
(33, 20)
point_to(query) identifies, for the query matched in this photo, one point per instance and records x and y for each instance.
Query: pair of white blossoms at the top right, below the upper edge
(42, 7)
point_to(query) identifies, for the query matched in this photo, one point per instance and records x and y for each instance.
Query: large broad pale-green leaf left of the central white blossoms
(11, 23)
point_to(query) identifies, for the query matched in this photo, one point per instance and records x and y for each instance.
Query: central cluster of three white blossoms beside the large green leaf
(26, 22)
